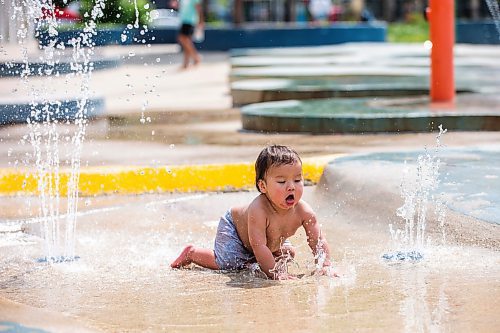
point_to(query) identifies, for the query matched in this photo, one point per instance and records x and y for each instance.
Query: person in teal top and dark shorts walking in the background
(191, 15)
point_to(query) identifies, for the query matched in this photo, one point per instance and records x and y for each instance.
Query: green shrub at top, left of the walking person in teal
(118, 11)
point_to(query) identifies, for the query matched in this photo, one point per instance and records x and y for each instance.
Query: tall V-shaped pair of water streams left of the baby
(45, 117)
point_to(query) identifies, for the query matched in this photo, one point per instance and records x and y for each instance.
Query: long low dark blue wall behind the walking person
(226, 38)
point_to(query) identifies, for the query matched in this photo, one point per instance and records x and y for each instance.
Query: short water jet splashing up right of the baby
(418, 190)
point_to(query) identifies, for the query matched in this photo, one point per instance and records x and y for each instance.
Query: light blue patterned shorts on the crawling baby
(230, 253)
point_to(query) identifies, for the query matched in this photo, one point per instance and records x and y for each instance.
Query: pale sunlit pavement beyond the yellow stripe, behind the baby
(158, 115)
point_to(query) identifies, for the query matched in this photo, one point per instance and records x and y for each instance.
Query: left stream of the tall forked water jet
(43, 134)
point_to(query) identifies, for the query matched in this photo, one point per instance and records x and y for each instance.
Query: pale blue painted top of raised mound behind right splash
(469, 178)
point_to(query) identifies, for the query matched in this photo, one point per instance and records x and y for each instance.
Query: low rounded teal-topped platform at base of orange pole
(362, 115)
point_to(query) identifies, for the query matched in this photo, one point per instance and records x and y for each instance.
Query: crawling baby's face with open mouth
(284, 185)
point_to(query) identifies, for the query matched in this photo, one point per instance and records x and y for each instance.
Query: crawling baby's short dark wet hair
(273, 155)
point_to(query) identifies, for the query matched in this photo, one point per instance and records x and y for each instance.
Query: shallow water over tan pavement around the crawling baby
(122, 281)
